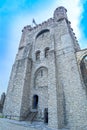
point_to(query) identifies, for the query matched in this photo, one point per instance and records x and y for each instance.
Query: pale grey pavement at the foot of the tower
(7, 124)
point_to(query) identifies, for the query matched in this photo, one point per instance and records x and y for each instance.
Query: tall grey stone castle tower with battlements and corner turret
(48, 80)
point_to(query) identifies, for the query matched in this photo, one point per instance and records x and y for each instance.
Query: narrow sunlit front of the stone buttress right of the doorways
(52, 92)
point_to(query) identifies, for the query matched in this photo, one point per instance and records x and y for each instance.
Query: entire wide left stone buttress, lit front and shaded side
(16, 103)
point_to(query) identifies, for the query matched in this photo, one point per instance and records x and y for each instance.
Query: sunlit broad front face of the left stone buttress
(14, 95)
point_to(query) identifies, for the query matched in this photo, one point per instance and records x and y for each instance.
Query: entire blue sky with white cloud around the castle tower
(15, 14)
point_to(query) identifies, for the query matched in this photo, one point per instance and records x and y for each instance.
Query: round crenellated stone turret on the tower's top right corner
(60, 13)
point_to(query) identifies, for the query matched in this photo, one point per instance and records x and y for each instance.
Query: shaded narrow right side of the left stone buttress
(25, 102)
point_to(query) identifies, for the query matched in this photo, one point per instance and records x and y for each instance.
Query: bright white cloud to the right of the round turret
(74, 10)
